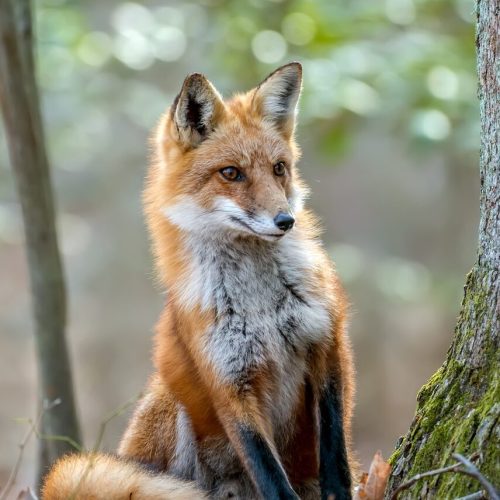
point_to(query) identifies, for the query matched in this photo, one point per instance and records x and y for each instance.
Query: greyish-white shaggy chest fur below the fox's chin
(267, 313)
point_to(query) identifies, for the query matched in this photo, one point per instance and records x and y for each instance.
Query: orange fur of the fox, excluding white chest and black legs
(185, 377)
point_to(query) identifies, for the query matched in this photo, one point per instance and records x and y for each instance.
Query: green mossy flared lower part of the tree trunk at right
(458, 409)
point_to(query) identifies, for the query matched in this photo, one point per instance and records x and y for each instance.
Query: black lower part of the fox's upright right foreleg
(335, 477)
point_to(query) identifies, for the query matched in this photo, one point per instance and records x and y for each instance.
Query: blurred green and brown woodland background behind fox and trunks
(389, 127)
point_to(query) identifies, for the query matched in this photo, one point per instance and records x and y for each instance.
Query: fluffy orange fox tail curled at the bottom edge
(95, 476)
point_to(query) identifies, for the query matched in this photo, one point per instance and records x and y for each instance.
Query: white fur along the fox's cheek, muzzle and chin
(225, 216)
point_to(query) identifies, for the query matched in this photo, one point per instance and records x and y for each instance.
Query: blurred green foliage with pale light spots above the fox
(408, 64)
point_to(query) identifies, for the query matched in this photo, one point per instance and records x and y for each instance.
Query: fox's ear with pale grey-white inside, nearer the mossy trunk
(277, 96)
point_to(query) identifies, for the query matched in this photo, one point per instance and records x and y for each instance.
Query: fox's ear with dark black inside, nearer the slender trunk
(196, 110)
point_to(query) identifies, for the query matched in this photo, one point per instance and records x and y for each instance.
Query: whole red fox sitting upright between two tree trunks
(253, 391)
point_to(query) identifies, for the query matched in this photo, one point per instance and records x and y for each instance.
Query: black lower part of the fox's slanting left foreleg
(266, 472)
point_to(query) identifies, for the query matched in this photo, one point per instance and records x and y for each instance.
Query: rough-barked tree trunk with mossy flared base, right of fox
(459, 408)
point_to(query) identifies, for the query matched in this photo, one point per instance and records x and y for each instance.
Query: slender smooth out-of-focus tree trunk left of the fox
(23, 125)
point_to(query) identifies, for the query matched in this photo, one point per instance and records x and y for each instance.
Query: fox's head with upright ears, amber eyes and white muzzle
(228, 166)
